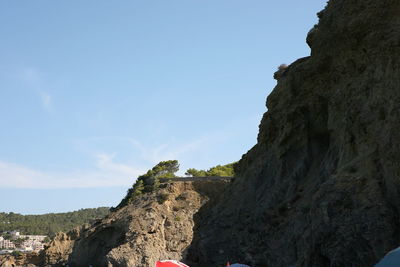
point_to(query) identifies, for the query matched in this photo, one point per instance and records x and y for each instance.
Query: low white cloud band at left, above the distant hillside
(108, 173)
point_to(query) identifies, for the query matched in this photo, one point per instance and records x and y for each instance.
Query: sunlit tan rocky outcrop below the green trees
(153, 227)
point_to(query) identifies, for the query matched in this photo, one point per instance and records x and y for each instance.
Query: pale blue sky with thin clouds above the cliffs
(94, 93)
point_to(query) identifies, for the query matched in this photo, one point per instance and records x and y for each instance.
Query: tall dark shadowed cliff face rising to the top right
(321, 186)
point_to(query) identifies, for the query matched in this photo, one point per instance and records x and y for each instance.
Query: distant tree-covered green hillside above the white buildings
(49, 224)
